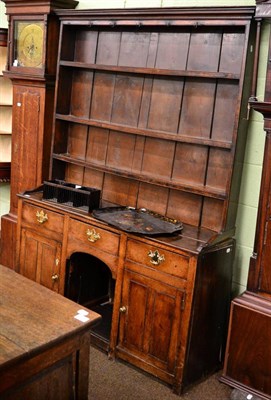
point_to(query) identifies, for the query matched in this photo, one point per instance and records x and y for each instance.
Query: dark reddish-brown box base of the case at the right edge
(247, 363)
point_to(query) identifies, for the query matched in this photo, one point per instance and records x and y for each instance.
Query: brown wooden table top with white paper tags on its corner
(33, 317)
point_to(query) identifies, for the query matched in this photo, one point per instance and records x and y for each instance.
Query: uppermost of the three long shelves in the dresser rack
(151, 71)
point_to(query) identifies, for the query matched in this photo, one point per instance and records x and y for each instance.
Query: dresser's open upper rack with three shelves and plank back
(152, 113)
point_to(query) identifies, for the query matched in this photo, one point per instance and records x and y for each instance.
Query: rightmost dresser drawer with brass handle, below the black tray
(157, 258)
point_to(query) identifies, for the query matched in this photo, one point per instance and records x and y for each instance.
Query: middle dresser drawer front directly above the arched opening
(90, 235)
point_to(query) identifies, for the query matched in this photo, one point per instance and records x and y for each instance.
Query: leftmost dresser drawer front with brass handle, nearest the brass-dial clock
(43, 219)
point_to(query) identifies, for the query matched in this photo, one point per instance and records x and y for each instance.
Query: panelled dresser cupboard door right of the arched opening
(150, 320)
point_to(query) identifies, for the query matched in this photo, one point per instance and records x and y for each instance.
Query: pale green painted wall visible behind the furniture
(252, 167)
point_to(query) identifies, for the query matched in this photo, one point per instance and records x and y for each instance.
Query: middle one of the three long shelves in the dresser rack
(146, 132)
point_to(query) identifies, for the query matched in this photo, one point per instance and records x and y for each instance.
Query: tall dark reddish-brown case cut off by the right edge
(247, 361)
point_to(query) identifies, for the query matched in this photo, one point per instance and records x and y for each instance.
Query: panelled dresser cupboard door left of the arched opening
(40, 259)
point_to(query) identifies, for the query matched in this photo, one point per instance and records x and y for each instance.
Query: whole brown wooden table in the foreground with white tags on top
(44, 349)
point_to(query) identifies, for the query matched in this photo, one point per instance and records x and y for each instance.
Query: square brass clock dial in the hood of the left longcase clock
(29, 44)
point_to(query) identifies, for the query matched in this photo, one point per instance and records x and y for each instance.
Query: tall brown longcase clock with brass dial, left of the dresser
(32, 52)
